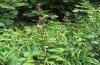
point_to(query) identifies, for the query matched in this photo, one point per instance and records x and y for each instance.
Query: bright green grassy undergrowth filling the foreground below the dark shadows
(55, 44)
